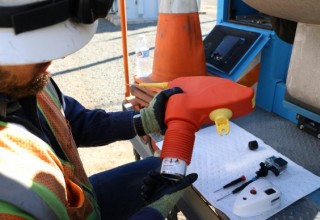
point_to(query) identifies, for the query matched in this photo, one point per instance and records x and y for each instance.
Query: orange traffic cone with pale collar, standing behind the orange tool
(178, 48)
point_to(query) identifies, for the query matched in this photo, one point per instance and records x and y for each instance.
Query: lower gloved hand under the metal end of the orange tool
(162, 194)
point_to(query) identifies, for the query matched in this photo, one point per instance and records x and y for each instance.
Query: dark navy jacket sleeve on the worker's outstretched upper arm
(96, 127)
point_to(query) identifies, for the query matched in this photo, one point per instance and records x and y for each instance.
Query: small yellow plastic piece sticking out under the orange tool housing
(221, 119)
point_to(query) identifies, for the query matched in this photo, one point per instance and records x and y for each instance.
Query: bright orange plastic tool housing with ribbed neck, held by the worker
(187, 112)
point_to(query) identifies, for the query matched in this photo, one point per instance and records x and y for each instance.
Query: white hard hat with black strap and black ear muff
(35, 31)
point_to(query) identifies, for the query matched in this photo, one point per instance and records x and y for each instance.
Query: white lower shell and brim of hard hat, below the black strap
(44, 44)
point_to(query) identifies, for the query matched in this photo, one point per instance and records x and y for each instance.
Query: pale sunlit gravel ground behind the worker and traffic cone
(95, 77)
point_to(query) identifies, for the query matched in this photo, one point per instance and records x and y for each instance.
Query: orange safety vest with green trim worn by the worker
(34, 179)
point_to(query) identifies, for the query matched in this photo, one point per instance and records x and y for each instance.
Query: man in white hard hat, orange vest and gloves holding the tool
(41, 174)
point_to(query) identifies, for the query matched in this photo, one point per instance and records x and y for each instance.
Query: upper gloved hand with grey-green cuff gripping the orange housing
(152, 117)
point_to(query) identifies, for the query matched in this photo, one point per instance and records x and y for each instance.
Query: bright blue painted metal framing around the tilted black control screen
(275, 58)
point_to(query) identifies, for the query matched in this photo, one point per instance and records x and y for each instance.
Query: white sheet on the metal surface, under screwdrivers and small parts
(219, 159)
